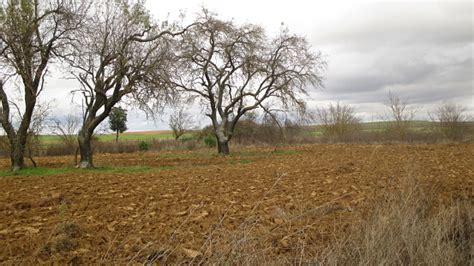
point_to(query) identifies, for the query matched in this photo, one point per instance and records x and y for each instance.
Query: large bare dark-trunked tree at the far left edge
(32, 34)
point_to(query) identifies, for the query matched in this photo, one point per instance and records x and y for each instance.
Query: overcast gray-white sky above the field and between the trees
(420, 50)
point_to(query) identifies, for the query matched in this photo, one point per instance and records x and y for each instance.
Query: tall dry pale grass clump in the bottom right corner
(406, 228)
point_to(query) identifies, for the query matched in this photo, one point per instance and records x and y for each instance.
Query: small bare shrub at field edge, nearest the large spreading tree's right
(337, 121)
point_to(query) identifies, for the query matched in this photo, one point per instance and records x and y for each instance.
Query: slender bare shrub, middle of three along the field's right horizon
(401, 114)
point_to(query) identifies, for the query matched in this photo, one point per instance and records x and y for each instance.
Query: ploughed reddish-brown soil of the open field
(201, 205)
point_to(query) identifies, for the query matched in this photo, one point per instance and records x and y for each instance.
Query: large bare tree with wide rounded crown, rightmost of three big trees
(233, 69)
